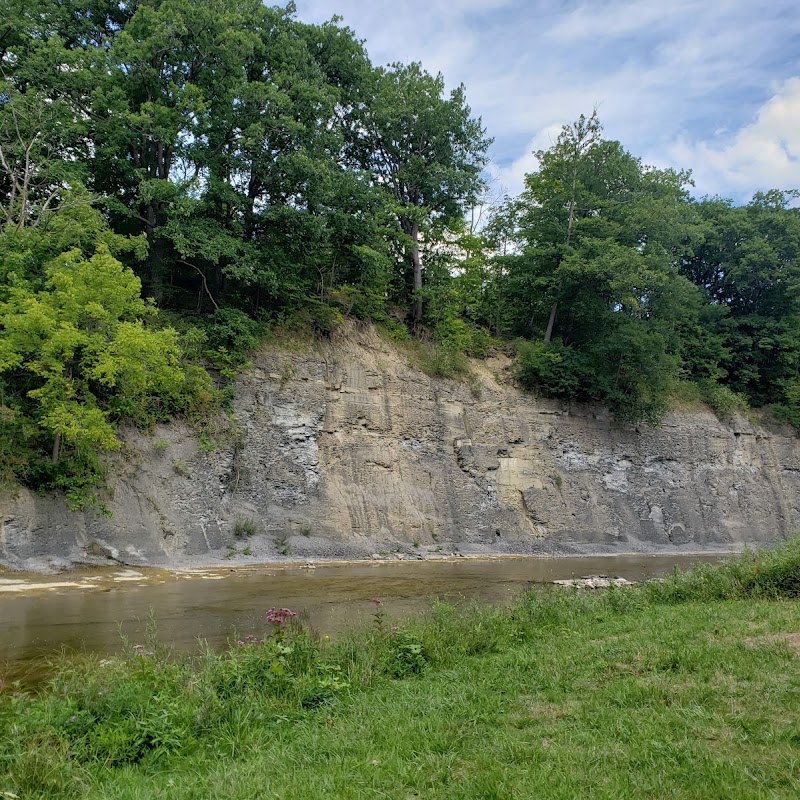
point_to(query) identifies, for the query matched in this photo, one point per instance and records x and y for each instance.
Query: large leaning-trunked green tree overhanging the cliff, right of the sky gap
(597, 273)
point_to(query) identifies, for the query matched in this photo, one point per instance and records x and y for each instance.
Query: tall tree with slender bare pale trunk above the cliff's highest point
(425, 151)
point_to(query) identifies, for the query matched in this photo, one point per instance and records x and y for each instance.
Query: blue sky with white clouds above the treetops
(707, 85)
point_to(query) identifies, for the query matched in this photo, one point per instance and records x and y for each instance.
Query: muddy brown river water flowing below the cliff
(90, 611)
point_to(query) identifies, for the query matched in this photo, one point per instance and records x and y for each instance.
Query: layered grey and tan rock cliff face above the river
(346, 450)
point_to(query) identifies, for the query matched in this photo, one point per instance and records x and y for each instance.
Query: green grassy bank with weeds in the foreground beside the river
(687, 688)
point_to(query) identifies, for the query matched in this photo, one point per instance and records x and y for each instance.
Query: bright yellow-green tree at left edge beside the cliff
(76, 356)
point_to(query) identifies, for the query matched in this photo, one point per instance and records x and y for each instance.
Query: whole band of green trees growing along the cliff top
(242, 169)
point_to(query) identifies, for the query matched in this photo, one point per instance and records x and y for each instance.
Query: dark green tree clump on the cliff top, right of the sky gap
(633, 287)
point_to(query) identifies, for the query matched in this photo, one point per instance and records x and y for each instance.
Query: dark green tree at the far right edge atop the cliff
(746, 262)
